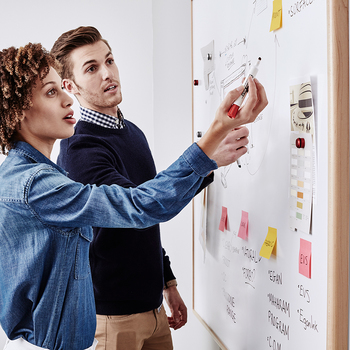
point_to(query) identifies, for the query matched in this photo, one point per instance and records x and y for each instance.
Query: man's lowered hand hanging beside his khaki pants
(177, 308)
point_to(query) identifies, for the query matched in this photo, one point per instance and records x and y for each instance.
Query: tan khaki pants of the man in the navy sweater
(144, 331)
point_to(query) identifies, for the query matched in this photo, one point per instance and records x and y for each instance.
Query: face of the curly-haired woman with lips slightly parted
(50, 118)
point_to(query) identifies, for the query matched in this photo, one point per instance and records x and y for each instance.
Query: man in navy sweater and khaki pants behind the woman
(130, 269)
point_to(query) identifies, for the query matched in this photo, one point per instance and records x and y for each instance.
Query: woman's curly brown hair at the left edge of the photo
(20, 68)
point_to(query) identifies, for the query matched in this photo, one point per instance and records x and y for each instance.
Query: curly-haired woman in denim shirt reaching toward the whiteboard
(46, 296)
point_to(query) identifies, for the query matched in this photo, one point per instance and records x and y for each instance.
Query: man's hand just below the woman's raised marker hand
(232, 147)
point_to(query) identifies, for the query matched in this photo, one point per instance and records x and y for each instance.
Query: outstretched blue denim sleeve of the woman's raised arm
(59, 201)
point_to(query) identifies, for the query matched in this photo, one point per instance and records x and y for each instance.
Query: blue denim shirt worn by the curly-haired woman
(46, 293)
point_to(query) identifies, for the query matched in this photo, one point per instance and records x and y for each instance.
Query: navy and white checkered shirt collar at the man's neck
(101, 119)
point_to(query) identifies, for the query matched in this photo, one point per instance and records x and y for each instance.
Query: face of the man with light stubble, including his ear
(96, 81)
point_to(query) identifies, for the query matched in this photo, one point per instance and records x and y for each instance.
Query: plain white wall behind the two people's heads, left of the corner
(126, 24)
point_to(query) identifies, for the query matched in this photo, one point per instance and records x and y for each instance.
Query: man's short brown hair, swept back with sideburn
(70, 41)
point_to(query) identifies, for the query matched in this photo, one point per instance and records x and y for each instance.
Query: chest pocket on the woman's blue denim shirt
(82, 266)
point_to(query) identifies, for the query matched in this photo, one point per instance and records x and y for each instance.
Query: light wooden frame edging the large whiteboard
(338, 178)
